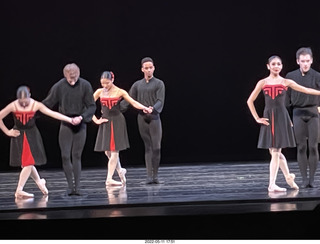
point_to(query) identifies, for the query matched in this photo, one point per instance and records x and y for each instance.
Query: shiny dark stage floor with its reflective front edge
(200, 189)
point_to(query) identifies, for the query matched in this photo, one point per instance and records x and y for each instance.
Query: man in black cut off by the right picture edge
(305, 116)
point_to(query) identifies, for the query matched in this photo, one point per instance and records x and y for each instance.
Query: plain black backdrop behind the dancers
(210, 56)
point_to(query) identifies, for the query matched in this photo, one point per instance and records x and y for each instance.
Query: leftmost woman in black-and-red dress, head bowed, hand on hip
(26, 148)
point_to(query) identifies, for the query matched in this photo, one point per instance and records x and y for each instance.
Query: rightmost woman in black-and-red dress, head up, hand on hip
(276, 128)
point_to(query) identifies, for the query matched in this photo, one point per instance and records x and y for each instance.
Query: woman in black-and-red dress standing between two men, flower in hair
(112, 135)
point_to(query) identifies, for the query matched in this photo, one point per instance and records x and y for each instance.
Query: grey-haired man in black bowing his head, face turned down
(74, 96)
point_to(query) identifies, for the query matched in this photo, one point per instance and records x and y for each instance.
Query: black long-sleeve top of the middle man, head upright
(150, 93)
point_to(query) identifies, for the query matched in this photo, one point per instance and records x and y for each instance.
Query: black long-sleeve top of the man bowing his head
(72, 100)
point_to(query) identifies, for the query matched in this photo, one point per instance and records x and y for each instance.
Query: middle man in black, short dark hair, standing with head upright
(149, 91)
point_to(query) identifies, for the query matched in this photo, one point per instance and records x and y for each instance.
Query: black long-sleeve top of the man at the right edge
(311, 79)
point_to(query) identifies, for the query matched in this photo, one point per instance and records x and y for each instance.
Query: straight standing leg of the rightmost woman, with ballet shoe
(273, 169)
